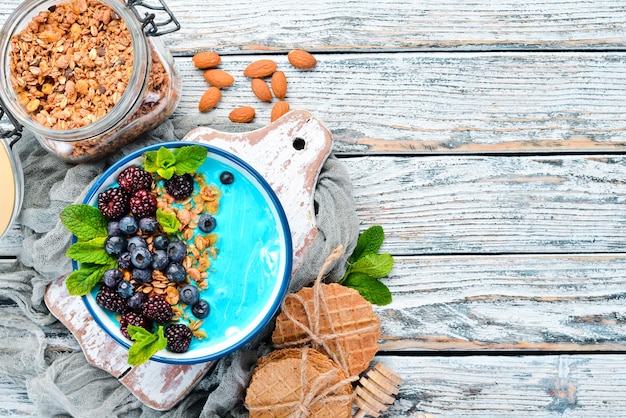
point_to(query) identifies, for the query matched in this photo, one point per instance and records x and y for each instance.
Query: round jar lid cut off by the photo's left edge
(10, 187)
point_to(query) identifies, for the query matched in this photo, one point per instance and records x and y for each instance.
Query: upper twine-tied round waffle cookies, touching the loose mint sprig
(333, 319)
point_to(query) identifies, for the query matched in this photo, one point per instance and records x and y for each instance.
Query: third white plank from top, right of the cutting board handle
(474, 205)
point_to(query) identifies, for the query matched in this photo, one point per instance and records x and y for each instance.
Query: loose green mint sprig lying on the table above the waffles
(366, 266)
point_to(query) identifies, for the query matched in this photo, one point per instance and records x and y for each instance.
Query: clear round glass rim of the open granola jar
(129, 100)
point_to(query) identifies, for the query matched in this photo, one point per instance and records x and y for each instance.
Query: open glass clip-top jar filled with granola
(65, 74)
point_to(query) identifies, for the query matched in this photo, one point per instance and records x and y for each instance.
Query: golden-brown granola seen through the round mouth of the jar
(71, 64)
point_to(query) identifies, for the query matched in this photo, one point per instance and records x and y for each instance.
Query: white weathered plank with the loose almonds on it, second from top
(425, 103)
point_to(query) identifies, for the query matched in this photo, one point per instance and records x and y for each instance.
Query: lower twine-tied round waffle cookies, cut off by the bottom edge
(299, 383)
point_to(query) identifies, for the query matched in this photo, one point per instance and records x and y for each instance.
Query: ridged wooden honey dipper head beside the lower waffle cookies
(376, 391)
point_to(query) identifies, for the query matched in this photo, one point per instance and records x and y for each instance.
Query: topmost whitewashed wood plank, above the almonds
(242, 26)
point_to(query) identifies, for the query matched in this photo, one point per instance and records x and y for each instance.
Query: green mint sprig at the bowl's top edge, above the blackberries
(183, 160)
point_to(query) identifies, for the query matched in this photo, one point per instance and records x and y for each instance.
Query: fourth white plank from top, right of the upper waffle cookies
(534, 302)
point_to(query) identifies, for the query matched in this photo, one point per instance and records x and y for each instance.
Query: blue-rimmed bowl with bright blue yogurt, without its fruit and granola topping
(250, 274)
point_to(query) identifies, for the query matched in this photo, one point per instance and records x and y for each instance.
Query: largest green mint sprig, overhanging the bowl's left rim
(90, 228)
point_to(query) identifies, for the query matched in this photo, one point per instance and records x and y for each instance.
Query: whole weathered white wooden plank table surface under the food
(489, 140)
